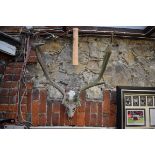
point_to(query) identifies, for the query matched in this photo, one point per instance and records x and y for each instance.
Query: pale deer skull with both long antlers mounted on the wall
(71, 99)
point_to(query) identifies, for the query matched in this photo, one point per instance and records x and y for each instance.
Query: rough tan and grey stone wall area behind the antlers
(131, 63)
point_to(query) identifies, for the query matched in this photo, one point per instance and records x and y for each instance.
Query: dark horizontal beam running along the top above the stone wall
(67, 31)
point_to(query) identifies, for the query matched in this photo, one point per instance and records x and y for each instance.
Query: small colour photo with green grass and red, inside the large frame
(135, 117)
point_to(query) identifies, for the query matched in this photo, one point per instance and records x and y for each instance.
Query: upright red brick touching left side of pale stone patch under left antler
(43, 96)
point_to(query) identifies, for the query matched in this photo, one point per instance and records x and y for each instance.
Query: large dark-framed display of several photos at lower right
(135, 107)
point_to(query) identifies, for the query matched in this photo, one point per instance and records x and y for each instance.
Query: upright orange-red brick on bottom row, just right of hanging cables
(35, 113)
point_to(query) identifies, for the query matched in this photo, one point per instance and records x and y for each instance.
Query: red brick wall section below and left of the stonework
(36, 109)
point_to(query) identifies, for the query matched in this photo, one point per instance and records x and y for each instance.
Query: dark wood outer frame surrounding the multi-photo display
(120, 90)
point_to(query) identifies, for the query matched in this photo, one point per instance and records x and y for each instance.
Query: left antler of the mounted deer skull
(42, 64)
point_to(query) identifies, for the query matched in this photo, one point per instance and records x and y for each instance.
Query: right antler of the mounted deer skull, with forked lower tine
(103, 68)
